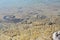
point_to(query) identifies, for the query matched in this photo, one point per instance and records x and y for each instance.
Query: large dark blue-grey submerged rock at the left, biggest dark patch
(12, 18)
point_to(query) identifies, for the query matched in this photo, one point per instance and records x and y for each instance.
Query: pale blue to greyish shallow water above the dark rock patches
(19, 7)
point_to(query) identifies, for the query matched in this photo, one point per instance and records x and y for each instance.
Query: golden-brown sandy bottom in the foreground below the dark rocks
(37, 30)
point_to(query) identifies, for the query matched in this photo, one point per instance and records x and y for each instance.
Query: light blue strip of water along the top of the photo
(17, 3)
